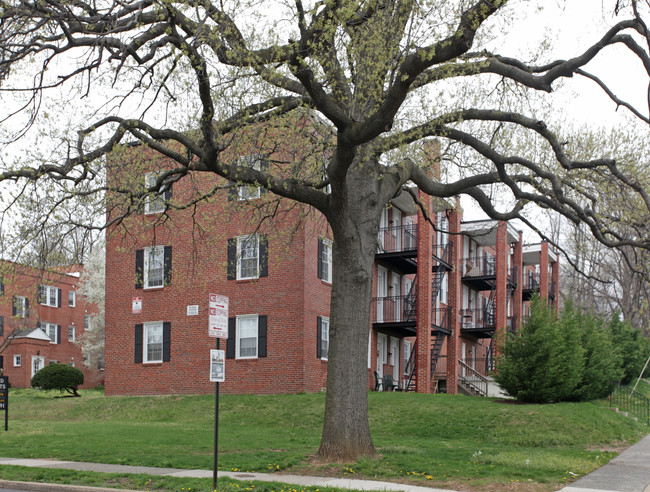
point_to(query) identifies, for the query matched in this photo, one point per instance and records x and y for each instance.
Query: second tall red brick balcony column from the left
(454, 295)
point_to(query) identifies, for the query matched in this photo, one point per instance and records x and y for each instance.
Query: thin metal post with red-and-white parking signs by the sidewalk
(217, 328)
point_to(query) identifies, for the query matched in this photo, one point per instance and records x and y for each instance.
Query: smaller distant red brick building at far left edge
(42, 315)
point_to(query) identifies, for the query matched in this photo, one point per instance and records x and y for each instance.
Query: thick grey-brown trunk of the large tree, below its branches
(355, 225)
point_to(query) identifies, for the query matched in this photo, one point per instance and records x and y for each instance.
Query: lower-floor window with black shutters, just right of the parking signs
(246, 337)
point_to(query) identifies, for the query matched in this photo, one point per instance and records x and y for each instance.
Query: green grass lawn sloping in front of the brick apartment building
(435, 440)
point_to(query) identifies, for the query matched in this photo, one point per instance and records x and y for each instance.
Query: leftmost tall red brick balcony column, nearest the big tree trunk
(423, 326)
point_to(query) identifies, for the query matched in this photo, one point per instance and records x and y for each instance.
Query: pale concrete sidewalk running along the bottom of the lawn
(628, 472)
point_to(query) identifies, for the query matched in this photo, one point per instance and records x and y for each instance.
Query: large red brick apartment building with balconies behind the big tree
(441, 295)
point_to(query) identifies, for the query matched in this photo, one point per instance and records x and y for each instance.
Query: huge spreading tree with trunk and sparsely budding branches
(183, 76)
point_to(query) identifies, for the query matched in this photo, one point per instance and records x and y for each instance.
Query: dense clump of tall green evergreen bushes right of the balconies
(573, 357)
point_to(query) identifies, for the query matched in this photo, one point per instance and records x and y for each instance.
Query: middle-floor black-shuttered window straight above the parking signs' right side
(247, 257)
